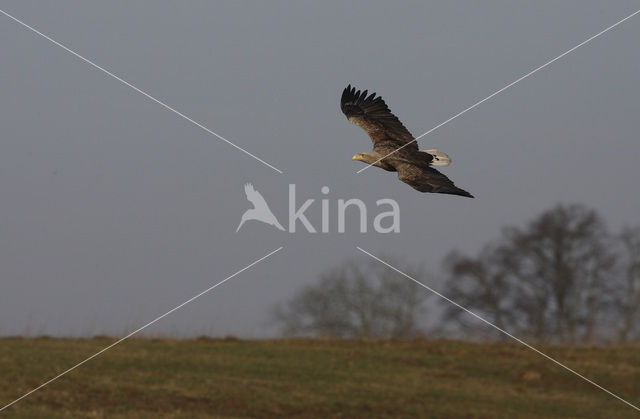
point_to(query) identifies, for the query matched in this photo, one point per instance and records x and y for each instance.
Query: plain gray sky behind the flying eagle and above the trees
(114, 210)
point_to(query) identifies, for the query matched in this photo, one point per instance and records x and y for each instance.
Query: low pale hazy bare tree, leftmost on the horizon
(359, 299)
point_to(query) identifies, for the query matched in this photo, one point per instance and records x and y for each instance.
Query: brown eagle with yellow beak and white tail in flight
(394, 148)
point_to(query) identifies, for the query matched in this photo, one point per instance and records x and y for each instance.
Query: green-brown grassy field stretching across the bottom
(148, 378)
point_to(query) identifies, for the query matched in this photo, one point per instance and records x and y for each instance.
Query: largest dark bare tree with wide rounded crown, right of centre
(550, 280)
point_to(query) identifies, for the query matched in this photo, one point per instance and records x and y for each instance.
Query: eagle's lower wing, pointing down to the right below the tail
(427, 179)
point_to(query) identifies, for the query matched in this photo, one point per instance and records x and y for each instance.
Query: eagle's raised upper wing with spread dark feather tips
(372, 114)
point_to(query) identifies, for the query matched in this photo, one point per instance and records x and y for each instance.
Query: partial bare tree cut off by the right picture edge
(628, 300)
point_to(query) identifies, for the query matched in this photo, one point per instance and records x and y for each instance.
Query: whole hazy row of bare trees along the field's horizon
(563, 277)
